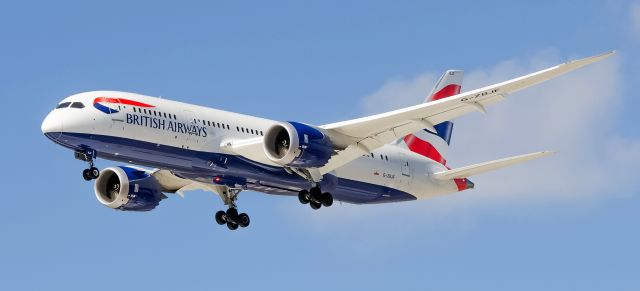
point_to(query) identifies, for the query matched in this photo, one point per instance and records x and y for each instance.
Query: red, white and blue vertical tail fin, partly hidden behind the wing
(430, 144)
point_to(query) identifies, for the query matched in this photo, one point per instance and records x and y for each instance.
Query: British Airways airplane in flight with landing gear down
(175, 147)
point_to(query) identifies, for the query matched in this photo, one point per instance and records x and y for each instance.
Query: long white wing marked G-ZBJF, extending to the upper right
(368, 133)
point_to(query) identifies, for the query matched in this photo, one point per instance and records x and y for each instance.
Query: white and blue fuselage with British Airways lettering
(189, 140)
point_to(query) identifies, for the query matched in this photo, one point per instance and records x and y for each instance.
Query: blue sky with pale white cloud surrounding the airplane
(568, 222)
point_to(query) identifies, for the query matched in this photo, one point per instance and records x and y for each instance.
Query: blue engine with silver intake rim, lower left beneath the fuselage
(128, 189)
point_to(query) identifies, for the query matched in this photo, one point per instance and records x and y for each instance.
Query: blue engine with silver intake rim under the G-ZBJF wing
(297, 145)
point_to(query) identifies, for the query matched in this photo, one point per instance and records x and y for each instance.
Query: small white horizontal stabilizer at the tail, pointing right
(471, 170)
